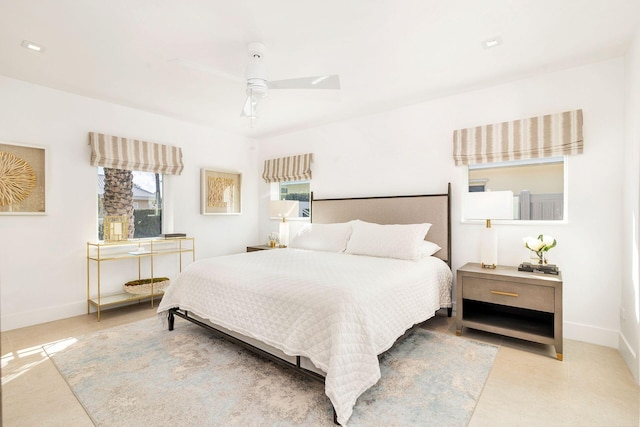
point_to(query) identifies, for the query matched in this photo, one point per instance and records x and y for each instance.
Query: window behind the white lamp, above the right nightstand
(538, 185)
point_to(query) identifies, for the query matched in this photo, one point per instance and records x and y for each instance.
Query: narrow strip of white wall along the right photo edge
(630, 296)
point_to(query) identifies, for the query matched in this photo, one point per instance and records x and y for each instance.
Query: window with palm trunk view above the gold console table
(137, 194)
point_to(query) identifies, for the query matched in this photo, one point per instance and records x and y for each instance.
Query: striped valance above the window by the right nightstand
(544, 136)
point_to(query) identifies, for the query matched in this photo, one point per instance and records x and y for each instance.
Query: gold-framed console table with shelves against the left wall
(139, 249)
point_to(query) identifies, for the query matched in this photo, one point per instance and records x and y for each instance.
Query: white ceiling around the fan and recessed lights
(388, 53)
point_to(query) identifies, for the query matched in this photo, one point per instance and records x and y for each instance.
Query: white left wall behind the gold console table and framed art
(43, 258)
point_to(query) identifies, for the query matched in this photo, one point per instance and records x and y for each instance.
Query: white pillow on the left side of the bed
(322, 237)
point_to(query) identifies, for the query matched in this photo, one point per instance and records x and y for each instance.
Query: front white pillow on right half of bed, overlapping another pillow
(391, 241)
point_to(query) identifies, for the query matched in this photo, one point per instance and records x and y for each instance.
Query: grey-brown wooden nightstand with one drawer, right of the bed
(510, 302)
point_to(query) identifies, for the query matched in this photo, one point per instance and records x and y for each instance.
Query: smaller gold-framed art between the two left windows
(221, 192)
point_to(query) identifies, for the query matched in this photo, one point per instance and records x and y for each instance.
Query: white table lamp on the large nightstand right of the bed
(489, 205)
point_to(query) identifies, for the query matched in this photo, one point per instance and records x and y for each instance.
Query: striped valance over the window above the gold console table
(132, 154)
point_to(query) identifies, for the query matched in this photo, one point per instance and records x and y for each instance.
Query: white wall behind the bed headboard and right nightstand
(409, 151)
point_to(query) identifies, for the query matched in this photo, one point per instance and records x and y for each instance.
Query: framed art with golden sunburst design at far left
(22, 179)
